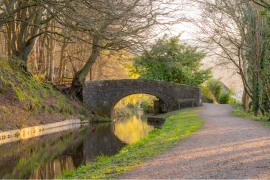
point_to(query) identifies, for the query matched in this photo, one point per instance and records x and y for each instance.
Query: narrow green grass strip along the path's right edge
(240, 112)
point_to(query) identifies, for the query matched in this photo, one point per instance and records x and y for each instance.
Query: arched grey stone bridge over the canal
(101, 96)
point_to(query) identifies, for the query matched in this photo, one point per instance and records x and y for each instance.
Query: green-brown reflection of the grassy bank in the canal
(22, 157)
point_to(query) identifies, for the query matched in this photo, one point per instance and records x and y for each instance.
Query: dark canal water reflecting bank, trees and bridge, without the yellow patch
(46, 157)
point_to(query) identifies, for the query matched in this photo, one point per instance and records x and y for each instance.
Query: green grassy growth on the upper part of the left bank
(32, 93)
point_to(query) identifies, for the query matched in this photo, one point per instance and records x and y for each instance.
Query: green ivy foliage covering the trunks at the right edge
(258, 59)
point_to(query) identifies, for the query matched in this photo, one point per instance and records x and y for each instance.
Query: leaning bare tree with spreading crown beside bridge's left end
(114, 25)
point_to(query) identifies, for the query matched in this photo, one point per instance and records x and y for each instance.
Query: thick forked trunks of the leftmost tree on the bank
(22, 36)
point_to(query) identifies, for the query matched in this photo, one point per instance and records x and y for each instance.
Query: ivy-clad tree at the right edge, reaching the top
(260, 69)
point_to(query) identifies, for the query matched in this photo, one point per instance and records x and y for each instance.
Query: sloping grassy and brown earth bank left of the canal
(27, 101)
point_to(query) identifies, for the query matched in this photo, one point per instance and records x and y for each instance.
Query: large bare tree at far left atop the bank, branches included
(23, 21)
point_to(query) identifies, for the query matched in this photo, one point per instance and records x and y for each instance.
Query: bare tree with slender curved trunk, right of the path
(224, 34)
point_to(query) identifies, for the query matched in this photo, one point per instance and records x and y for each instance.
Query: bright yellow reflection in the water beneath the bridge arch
(130, 130)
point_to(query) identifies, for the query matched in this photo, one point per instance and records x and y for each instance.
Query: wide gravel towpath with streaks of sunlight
(226, 147)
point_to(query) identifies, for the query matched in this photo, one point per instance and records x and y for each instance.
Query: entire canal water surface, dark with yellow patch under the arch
(46, 157)
